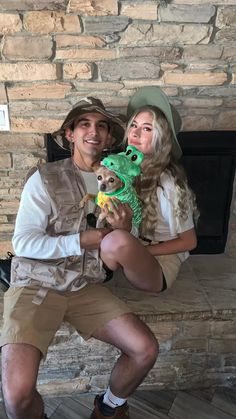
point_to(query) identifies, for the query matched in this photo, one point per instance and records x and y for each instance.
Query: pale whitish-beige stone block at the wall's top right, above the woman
(186, 13)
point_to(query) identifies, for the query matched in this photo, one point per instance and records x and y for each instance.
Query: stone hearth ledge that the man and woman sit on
(194, 321)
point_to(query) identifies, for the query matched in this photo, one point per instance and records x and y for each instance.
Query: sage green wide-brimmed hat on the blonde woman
(155, 97)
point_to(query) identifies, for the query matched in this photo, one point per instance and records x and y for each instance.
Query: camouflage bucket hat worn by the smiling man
(85, 105)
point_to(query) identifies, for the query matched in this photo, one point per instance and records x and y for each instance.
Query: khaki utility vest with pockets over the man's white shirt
(65, 187)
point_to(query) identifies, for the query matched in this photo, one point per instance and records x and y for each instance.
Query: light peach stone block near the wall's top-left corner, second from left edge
(46, 22)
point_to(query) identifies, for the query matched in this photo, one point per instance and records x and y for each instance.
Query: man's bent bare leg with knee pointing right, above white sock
(139, 349)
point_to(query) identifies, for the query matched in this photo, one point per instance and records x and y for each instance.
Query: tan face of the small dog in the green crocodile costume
(107, 180)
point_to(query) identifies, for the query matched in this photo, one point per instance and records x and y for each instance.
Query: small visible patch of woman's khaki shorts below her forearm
(170, 265)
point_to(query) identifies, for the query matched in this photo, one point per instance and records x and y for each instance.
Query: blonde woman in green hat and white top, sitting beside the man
(167, 228)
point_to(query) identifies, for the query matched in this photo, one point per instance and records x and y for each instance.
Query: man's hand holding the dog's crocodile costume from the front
(118, 215)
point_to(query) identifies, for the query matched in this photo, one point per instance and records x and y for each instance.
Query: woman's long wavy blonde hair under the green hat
(162, 160)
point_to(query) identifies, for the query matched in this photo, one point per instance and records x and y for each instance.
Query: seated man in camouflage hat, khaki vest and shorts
(57, 274)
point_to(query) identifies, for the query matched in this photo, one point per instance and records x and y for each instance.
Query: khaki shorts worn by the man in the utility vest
(87, 310)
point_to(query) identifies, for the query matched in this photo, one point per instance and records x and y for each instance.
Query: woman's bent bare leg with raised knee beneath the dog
(121, 249)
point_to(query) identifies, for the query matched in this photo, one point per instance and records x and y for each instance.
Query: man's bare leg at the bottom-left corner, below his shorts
(20, 364)
